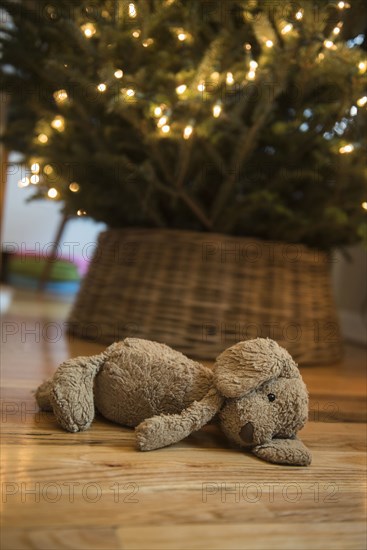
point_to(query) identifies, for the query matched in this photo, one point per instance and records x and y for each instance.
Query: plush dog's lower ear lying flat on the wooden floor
(284, 451)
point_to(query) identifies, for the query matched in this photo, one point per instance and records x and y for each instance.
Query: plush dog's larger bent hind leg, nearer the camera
(72, 392)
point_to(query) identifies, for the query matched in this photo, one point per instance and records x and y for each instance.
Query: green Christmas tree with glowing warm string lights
(240, 117)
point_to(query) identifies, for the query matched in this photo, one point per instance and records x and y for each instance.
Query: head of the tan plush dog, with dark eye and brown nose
(266, 401)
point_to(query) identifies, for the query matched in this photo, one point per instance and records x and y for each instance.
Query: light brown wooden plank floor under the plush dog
(94, 490)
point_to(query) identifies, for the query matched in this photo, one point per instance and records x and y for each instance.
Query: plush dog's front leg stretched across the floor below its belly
(162, 430)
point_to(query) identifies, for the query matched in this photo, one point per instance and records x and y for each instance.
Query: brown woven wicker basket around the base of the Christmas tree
(202, 292)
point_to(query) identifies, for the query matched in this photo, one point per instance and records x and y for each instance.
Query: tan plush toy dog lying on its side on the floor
(255, 387)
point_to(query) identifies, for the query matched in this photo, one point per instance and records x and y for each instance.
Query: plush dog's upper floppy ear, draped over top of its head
(246, 365)
